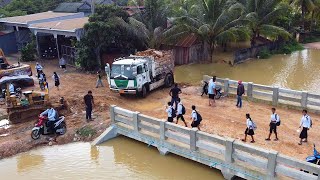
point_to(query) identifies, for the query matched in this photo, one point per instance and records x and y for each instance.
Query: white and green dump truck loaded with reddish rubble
(141, 73)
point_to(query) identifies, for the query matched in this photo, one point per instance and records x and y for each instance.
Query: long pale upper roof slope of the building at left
(39, 17)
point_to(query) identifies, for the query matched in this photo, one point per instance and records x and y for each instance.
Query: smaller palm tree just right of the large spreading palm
(262, 14)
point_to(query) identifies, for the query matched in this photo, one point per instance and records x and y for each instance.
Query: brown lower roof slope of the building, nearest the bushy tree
(70, 25)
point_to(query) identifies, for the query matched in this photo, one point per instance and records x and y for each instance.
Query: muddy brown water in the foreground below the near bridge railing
(120, 158)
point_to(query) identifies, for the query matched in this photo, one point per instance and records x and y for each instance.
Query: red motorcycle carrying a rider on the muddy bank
(42, 128)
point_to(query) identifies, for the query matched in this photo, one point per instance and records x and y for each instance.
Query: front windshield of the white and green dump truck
(122, 72)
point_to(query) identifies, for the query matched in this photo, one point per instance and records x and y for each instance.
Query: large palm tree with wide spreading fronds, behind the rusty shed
(211, 21)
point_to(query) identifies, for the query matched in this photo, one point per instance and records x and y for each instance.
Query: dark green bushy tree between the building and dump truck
(109, 27)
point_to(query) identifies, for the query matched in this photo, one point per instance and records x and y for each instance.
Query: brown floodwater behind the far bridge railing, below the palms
(299, 70)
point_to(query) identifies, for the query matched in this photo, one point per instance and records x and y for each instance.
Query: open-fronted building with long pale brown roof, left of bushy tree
(53, 31)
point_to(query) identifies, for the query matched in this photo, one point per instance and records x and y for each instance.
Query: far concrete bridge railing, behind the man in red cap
(274, 95)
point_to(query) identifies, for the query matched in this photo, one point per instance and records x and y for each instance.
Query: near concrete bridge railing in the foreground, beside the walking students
(223, 153)
